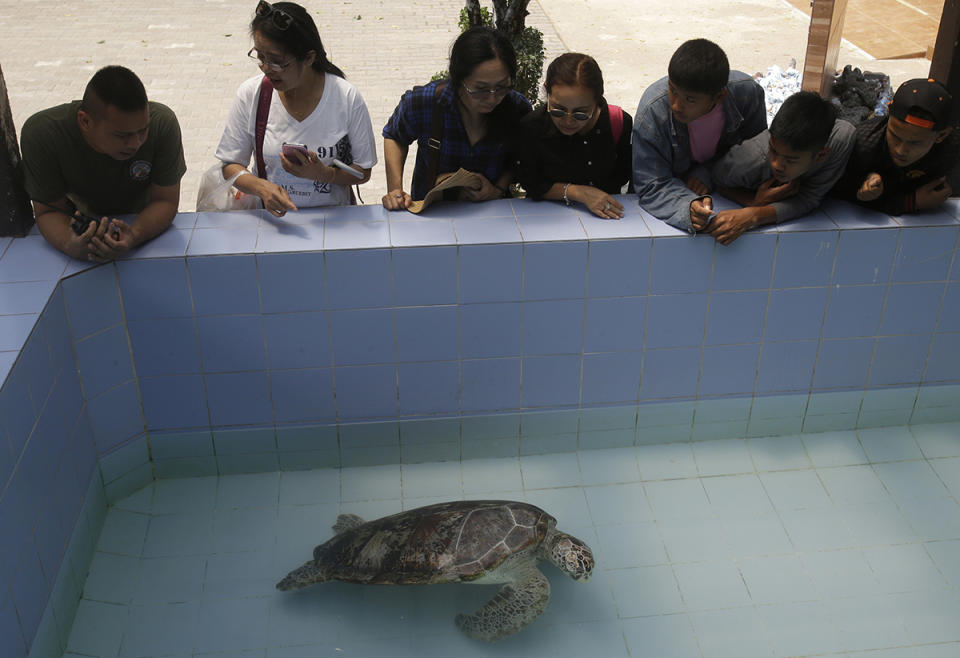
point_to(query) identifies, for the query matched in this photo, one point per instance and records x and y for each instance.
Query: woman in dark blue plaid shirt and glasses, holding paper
(481, 112)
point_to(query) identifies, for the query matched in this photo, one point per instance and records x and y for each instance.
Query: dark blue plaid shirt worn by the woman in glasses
(413, 118)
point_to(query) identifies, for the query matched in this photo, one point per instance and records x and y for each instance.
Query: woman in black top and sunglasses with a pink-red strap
(576, 148)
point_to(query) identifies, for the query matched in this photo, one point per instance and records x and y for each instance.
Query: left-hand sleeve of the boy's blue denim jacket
(655, 162)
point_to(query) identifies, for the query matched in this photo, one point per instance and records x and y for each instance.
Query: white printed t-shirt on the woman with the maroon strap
(339, 127)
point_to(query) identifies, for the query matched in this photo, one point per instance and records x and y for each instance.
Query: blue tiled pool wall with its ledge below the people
(511, 328)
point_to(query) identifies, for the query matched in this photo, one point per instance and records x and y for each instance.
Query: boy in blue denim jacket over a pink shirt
(690, 117)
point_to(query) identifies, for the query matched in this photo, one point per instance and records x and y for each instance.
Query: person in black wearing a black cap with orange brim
(909, 160)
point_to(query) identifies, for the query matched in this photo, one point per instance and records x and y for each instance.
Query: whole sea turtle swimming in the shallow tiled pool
(482, 541)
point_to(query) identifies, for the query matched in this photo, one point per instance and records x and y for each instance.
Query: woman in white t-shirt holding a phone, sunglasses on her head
(311, 105)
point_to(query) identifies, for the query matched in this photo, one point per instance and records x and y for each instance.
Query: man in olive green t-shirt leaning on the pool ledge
(111, 153)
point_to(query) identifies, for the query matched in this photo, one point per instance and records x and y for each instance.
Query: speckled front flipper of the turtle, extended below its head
(515, 605)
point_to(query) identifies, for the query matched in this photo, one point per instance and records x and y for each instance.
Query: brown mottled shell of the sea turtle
(442, 543)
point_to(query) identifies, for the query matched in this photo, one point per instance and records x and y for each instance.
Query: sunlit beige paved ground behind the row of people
(190, 54)
